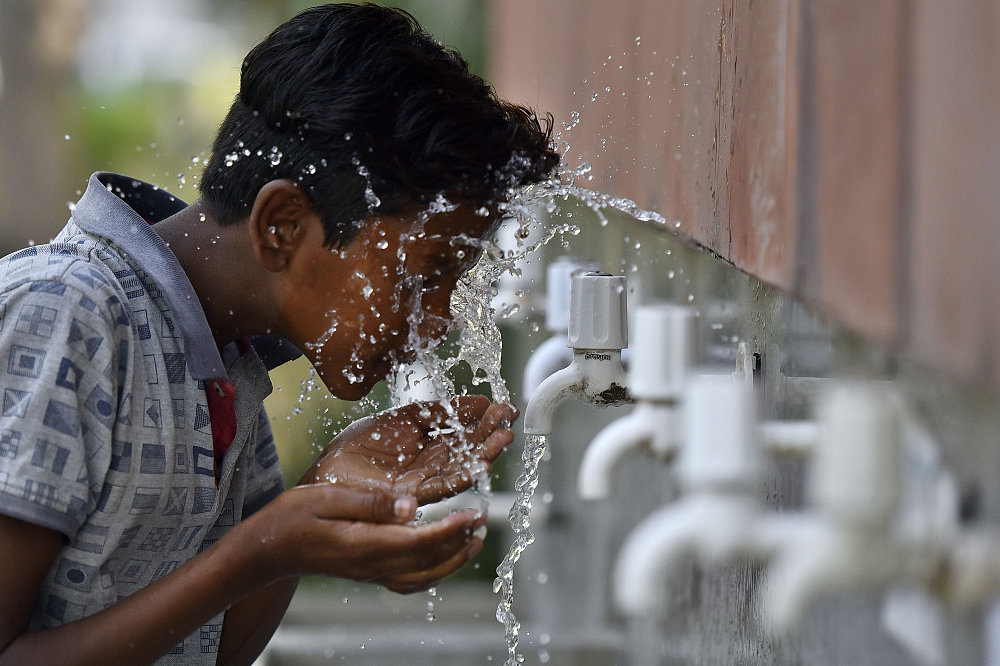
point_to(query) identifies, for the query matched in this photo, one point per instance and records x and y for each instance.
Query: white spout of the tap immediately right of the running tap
(650, 425)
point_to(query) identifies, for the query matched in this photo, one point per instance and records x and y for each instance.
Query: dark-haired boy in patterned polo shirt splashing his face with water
(141, 512)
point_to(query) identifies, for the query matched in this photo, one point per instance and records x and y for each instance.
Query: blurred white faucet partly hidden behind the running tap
(554, 354)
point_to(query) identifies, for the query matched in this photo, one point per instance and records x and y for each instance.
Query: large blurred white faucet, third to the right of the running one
(848, 540)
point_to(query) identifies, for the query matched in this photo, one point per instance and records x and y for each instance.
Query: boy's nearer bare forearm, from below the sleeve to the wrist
(146, 625)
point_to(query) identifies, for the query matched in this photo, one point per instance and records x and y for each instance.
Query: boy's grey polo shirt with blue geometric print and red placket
(111, 381)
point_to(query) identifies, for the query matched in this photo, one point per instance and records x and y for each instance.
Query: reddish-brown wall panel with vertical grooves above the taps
(845, 151)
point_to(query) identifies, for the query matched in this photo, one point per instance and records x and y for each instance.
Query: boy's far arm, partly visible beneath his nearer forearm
(251, 622)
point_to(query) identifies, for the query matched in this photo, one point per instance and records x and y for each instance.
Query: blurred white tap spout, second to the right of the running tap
(713, 527)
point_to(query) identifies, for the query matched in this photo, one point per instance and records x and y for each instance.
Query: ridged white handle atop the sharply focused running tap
(598, 318)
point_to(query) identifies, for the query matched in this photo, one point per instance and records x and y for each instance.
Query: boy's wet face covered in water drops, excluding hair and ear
(357, 310)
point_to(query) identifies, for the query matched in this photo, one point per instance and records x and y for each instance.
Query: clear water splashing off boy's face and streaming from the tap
(479, 343)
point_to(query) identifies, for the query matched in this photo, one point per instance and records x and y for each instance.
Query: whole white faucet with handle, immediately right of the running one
(663, 348)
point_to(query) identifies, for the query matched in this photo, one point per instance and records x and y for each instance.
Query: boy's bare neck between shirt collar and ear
(219, 263)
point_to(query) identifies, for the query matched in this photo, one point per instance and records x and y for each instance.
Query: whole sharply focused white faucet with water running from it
(597, 333)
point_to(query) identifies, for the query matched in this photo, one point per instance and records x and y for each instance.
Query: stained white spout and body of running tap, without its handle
(594, 376)
